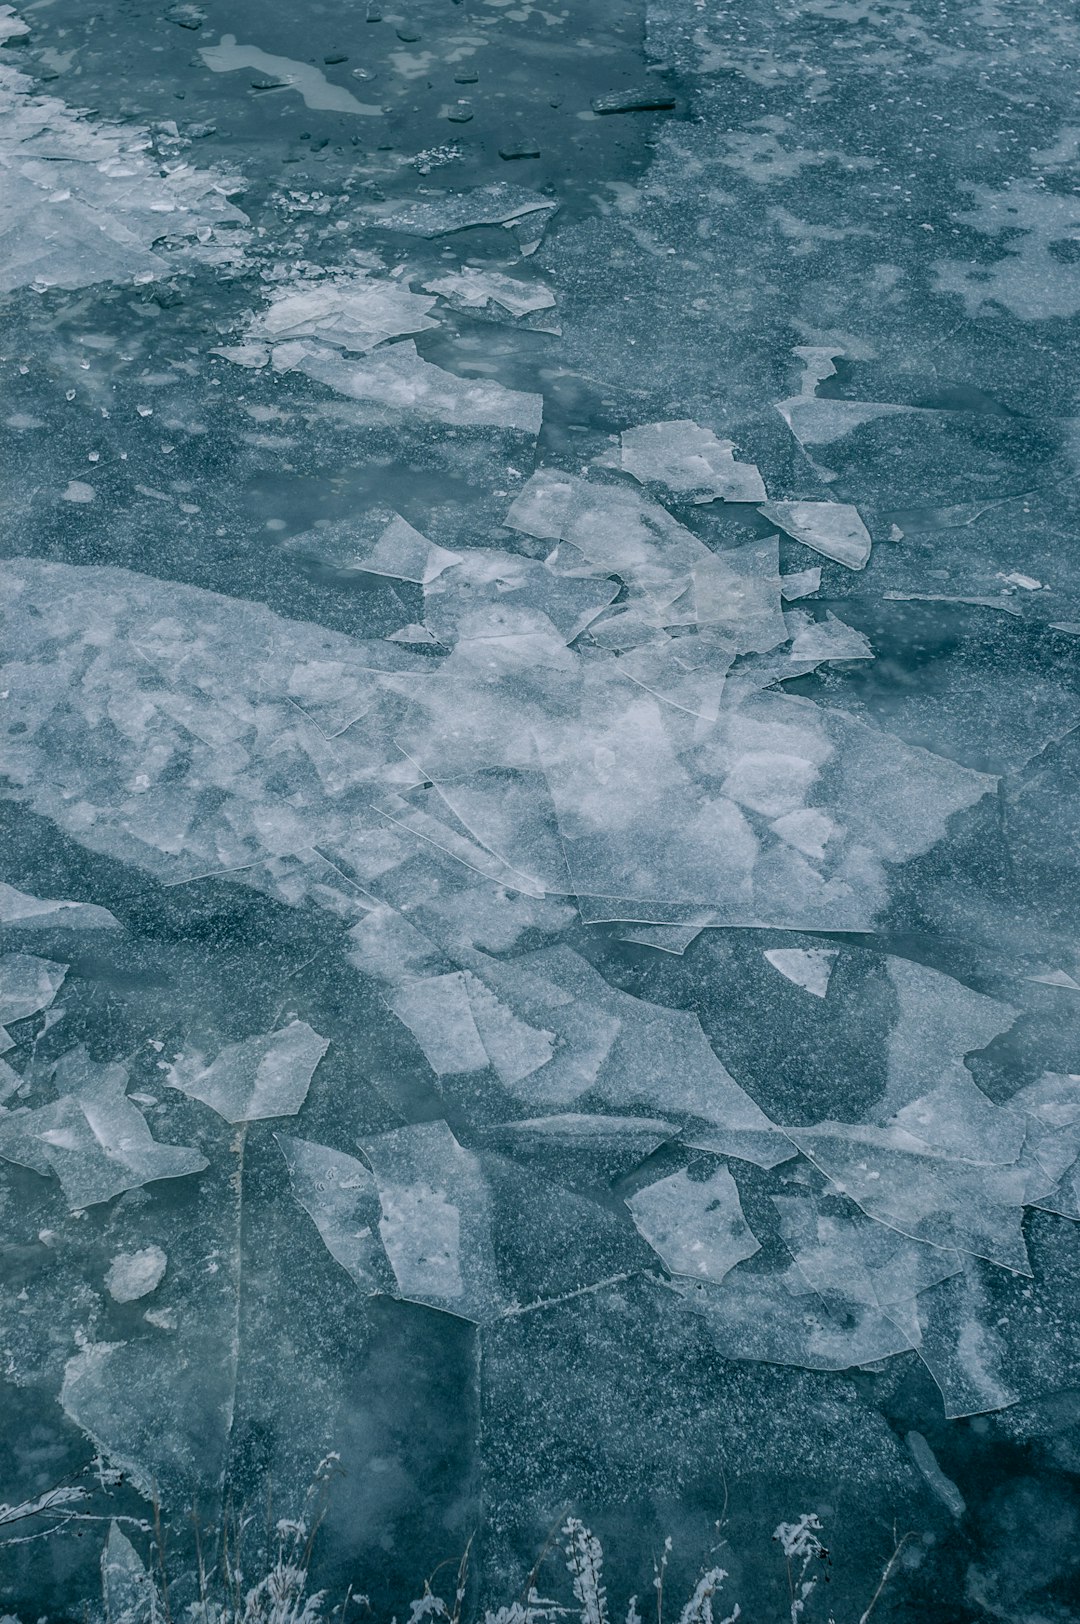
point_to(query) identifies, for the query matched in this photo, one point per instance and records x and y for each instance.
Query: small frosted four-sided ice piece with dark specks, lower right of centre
(694, 1225)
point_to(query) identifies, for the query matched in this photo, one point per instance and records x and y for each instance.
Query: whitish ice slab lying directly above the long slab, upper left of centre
(353, 313)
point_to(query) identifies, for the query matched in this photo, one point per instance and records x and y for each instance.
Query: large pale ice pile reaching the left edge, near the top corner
(89, 202)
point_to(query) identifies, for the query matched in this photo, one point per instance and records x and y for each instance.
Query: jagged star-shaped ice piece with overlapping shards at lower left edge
(93, 1138)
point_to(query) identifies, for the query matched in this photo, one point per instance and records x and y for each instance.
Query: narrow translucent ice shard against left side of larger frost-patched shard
(340, 1196)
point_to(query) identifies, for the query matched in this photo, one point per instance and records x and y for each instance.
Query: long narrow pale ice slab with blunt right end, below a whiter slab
(397, 379)
